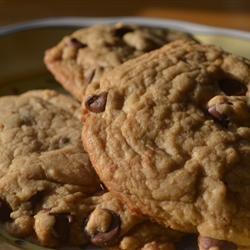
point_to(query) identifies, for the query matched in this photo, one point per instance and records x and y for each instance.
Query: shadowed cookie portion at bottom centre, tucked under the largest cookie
(113, 226)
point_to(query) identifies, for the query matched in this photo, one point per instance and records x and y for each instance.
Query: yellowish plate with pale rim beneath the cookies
(22, 48)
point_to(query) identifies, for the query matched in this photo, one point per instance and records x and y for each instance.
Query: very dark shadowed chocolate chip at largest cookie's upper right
(232, 86)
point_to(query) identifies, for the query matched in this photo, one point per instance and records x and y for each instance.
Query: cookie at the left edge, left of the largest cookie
(44, 174)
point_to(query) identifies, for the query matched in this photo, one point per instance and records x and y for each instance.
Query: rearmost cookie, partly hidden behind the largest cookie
(80, 59)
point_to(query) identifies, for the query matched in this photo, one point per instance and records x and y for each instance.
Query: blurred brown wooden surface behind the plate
(226, 13)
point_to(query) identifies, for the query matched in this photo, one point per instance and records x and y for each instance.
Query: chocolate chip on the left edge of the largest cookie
(97, 103)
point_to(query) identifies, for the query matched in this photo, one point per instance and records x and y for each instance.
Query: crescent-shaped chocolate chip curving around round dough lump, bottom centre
(103, 239)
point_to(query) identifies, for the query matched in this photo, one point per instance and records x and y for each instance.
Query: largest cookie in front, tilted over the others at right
(169, 133)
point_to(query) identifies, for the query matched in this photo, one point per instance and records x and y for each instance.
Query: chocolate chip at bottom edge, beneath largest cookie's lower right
(206, 243)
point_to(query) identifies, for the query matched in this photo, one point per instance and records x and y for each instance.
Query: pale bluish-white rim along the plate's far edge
(88, 21)
